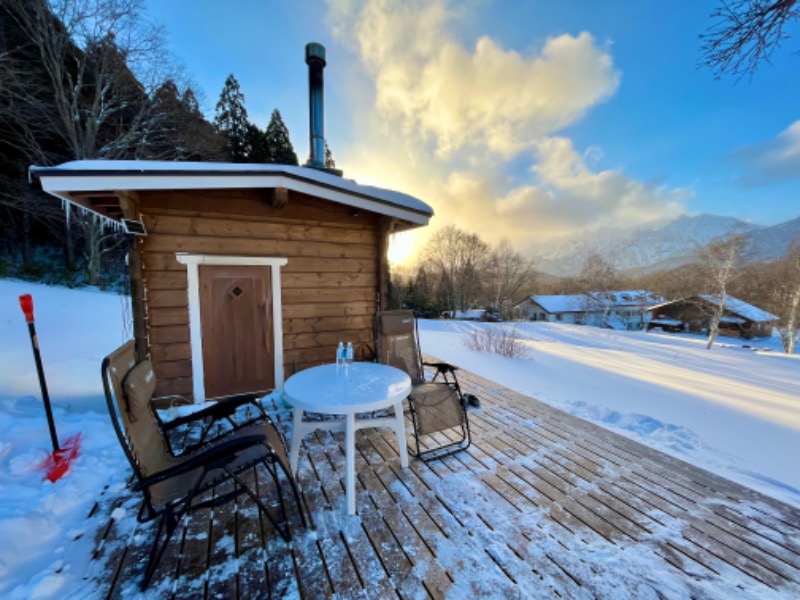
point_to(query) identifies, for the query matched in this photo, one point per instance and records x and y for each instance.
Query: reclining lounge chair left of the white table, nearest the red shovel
(173, 485)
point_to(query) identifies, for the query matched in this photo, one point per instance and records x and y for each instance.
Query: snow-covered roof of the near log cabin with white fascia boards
(83, 181)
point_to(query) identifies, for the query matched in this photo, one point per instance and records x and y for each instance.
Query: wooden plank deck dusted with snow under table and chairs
(542, 505)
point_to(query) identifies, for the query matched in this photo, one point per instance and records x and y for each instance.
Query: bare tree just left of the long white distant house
(507, 274)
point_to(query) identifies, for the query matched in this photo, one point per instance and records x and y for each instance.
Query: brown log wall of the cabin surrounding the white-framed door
(330, 284)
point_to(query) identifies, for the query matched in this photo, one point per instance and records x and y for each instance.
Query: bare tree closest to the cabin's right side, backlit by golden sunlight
(457, 258)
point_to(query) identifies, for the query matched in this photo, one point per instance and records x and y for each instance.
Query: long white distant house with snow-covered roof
(619, 309)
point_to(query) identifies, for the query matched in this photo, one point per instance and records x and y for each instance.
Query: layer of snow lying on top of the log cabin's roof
(155, 167)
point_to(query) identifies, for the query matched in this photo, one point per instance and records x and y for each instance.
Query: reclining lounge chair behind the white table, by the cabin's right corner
(436, 406)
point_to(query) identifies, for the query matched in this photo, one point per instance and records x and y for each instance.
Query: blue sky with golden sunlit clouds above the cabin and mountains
(526, 121)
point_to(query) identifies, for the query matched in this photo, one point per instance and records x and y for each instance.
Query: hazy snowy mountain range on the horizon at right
(662, 245)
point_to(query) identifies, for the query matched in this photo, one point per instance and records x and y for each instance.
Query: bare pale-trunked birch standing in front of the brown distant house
(721, 259)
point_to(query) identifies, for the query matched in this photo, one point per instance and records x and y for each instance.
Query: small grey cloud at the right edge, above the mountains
(777, 159)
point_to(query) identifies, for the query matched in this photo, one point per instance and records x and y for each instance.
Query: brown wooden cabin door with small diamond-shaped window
(236, 323)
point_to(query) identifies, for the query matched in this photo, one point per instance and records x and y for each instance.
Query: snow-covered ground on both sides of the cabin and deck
(732, 410)
